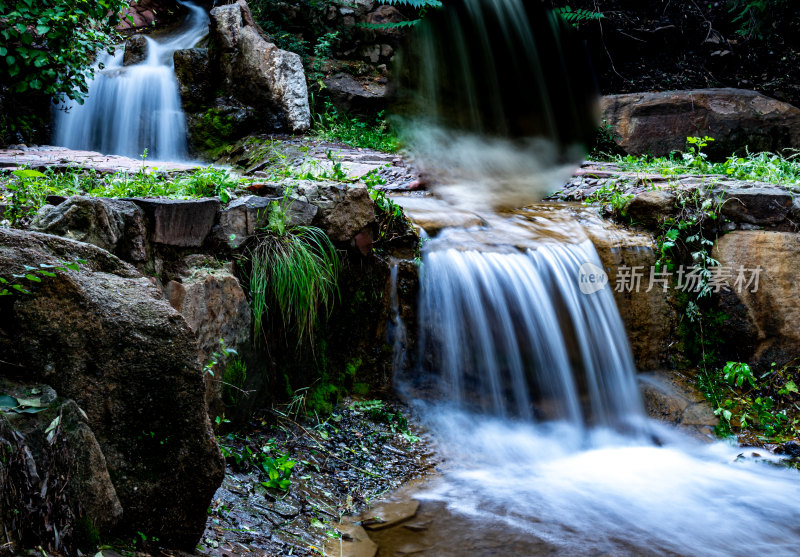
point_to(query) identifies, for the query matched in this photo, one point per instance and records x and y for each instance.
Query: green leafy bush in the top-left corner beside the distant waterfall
(48, 45)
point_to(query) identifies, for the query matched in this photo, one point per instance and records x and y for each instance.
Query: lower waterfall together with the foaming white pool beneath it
(531, 396)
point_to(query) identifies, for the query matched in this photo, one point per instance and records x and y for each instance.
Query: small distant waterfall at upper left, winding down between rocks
(132, 108)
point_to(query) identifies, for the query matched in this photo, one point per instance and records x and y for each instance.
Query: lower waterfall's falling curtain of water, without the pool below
(506, 331)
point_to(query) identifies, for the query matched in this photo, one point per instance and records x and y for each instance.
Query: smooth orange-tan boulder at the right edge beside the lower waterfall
(763, 315)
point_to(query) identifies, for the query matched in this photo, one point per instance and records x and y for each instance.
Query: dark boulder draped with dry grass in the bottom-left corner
(53, 473)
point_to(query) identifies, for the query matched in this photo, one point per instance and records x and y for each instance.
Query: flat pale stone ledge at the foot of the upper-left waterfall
(60, 157)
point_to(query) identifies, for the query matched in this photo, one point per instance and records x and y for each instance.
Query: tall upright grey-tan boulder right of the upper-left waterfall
(256, 72)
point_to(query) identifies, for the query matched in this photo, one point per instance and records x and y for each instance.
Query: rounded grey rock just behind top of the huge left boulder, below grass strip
(117, 226)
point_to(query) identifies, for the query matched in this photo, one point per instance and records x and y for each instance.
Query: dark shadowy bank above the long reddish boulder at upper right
(685, 44)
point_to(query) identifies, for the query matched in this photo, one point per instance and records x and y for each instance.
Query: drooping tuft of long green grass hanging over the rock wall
(295, 270)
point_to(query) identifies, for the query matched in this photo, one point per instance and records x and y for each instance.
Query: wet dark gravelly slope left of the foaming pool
(342, 465)
